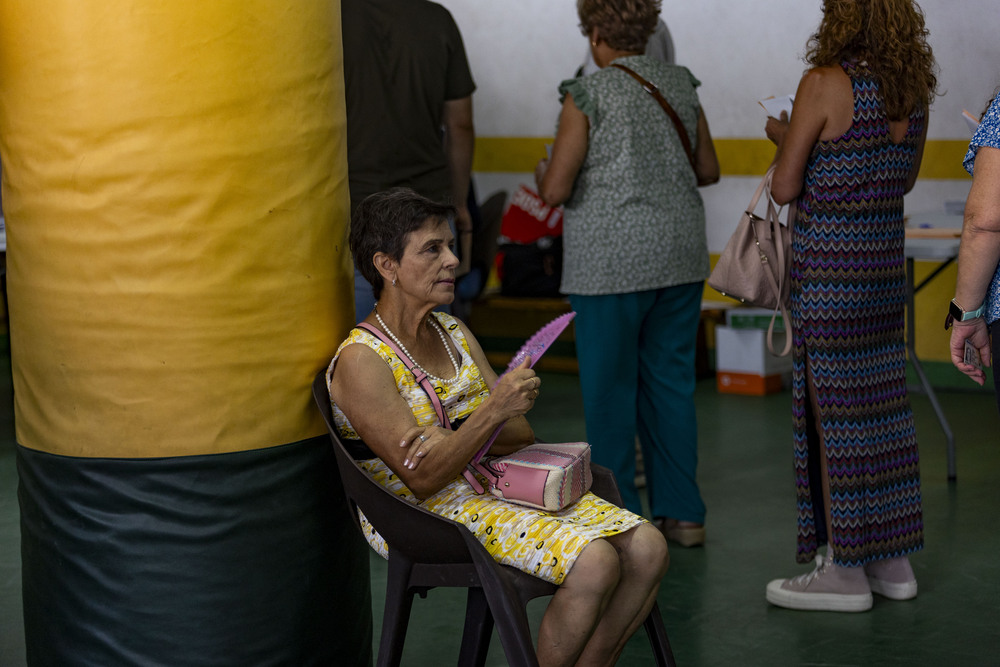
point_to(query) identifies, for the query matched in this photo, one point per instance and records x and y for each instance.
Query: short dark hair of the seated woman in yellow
(382, 222)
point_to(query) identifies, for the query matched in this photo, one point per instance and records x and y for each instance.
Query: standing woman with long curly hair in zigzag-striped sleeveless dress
(851, 150)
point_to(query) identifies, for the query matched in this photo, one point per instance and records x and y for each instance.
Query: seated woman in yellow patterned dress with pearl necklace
(607, 561)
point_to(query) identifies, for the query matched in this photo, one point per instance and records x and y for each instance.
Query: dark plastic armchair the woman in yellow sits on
(427, 550)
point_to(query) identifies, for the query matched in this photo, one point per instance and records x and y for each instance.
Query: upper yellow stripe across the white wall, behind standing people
(737, 157)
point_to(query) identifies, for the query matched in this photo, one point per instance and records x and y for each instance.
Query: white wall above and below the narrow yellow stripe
(742, 51)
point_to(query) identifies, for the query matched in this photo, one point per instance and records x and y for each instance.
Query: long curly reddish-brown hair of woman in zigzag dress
(890, 35)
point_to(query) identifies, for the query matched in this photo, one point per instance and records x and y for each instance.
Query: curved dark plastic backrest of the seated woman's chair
(422, 536)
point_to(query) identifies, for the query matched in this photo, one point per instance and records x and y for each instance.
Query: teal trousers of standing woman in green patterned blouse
(637, 372)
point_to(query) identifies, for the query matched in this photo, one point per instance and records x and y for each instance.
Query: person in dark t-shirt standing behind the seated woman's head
(409, 92)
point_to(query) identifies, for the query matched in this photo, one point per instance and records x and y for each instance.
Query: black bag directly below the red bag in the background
(532, 269)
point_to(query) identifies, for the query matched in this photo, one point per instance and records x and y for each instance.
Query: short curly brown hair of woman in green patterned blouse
(624, 24)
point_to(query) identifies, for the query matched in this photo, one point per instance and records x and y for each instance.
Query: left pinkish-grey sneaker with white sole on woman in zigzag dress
(827, 588)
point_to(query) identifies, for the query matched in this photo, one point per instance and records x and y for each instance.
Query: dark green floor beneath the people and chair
(713, 598)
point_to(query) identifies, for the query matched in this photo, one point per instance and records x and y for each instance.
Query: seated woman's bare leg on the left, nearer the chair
(577, 606)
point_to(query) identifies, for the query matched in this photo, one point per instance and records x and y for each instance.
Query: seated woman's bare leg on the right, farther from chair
(644, 561)
